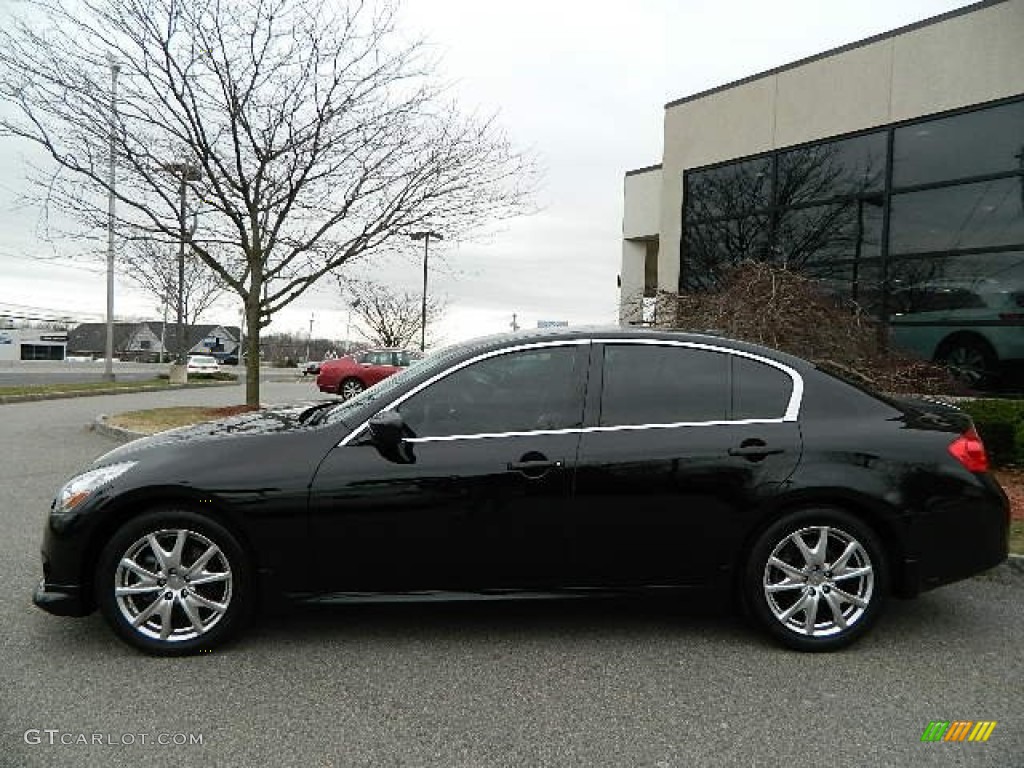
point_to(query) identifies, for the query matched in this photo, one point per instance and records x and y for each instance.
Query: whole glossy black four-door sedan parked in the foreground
(567, 463)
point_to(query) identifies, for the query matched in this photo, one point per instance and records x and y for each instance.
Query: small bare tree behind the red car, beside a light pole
(392, 319)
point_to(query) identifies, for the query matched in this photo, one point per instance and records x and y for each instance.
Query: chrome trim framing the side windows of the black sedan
(792, 412)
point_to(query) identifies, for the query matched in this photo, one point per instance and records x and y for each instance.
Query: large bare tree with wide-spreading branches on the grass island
(310, 135)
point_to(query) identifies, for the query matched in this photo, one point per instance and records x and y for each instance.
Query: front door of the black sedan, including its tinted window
(478, 498)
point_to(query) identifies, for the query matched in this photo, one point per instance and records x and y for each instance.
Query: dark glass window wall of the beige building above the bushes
(922, 224)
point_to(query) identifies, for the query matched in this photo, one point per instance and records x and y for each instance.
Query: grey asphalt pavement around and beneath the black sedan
(524, 685)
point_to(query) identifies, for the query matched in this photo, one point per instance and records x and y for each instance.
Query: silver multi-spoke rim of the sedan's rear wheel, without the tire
(819, 581)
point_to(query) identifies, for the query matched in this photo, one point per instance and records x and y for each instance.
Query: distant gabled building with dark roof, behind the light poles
(151, 342)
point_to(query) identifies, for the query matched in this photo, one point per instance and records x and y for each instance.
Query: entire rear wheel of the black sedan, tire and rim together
(805, 608)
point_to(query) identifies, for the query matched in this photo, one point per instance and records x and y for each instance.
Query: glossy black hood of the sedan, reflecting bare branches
(267, 422)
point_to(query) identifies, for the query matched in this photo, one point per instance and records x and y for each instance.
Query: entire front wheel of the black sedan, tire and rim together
(204, 576)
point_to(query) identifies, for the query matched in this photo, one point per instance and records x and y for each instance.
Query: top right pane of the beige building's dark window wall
(976, 144)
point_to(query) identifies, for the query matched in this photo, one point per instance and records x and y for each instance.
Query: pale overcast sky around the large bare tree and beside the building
(582, 82)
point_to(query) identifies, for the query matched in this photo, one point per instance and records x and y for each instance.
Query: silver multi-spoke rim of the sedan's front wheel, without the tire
(174, 585)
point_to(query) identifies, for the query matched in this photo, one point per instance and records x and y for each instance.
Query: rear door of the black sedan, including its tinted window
(686, 442)
